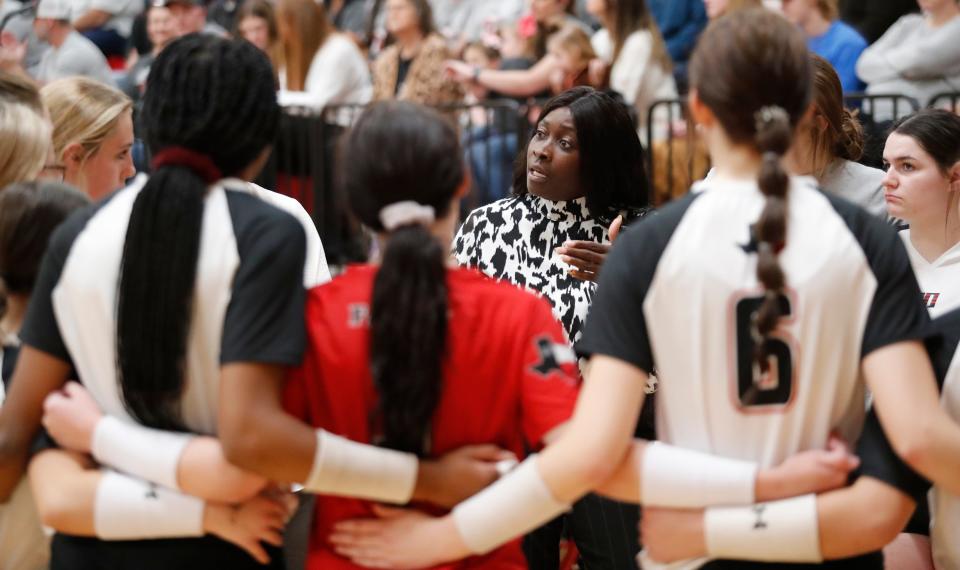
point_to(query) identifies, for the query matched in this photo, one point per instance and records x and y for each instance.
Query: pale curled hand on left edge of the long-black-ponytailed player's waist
(70, 416)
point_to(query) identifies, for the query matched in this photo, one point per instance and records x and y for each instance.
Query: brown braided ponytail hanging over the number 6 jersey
(774, 135)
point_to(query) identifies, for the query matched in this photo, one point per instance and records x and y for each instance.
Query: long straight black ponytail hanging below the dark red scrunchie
(154, 305)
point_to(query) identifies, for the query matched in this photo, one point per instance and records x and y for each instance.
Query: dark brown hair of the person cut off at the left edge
(29, 212)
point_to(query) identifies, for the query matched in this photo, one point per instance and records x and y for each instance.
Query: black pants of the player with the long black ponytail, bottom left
(206, 553)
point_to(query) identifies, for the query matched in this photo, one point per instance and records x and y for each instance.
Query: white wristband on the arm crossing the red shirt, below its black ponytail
(350, 469)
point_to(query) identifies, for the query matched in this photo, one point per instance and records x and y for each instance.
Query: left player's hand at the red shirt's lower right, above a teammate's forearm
(459, 474)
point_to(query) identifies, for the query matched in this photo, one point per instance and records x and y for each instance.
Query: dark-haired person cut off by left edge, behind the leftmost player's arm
(29, 212)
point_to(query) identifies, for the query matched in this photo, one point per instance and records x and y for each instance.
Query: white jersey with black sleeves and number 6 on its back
(679, 289)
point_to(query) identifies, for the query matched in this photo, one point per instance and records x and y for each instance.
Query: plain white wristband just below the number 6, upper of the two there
(682, 478)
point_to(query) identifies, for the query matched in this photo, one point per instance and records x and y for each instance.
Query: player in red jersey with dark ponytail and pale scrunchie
(410, 354)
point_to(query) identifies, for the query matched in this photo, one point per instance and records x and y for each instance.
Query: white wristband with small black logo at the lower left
(130, 509)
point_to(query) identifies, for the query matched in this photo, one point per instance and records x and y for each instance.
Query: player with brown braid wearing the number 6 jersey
(761, 302)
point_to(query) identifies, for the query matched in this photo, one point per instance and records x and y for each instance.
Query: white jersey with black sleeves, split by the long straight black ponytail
(248, 297)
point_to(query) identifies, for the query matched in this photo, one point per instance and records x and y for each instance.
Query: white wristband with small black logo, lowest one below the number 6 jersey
(784, 531)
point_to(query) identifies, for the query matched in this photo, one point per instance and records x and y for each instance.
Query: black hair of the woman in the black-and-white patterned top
(612, 171)
